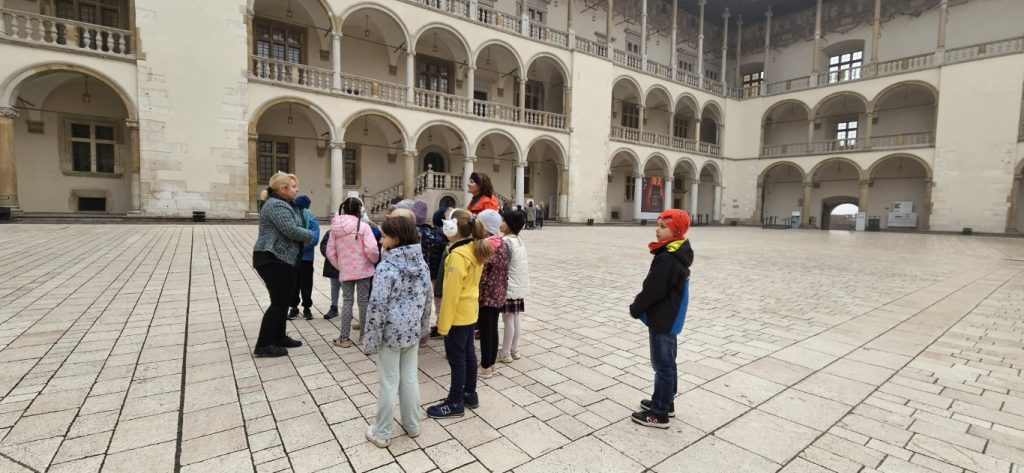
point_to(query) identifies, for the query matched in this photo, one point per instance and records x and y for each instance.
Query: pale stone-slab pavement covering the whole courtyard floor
(129, 349)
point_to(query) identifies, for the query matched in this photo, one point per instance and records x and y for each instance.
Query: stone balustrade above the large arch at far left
(37, 29)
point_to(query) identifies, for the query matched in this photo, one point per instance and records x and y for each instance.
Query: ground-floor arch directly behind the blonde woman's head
(294, 138)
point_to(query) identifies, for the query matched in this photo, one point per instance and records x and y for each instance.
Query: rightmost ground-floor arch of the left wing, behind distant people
(546, 178)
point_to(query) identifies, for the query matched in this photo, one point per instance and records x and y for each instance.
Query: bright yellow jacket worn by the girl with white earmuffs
(460, 297)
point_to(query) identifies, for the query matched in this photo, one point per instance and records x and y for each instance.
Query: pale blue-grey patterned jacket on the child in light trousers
(401, 300)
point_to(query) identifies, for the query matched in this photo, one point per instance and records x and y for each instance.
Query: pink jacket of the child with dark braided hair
(353, 248)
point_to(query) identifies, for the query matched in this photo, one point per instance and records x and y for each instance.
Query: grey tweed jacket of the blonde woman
(282, 231)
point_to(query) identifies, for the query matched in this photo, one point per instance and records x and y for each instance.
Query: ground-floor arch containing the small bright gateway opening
(834, 182)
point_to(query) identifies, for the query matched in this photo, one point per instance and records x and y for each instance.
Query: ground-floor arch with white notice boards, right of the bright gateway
(901, 179)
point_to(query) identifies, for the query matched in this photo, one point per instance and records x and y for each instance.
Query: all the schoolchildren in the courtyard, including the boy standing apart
(475, 267)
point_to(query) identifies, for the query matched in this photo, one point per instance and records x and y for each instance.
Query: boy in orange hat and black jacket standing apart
(662, 306)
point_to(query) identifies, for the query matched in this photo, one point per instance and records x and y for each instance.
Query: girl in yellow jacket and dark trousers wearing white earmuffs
(457, 319)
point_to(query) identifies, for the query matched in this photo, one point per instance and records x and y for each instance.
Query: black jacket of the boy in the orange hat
(662, 296)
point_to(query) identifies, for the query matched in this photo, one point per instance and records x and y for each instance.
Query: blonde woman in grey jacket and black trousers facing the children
(276, 256)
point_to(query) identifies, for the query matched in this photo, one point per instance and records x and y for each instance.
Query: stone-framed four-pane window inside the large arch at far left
(68, 154)
